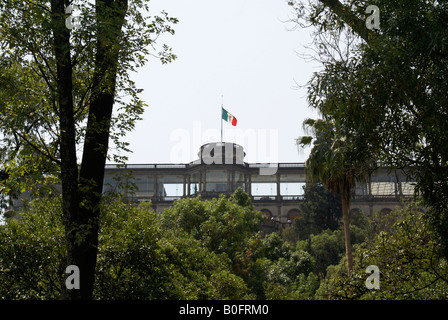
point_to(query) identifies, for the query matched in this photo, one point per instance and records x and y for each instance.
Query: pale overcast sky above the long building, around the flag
(241, 53)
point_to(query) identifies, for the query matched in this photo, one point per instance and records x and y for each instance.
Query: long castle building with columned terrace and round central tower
(276, 189)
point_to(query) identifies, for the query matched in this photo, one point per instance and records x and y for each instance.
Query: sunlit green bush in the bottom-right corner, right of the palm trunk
(408, 257)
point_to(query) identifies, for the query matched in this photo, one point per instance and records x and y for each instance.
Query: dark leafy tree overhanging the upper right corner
(396, 88)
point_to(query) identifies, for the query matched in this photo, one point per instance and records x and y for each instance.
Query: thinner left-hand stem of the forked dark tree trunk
(69, 168)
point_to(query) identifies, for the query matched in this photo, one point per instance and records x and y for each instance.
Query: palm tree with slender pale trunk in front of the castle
(332, 163)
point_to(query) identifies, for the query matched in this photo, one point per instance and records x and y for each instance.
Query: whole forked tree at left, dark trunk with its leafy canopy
(63, 95)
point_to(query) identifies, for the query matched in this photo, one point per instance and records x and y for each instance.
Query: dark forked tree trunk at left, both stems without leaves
(81, 197)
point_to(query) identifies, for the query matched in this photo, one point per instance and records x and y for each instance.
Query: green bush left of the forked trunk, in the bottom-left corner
(32, 253)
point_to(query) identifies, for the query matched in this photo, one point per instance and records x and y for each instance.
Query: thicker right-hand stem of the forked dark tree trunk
(96, 143)
